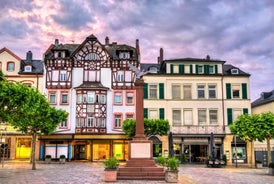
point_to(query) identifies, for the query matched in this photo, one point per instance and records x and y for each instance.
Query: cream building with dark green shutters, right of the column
(198, 97)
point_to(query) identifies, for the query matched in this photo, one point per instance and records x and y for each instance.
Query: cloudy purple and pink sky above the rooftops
(240, 32)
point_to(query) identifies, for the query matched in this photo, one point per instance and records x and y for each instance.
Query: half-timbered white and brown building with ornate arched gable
(93, 83)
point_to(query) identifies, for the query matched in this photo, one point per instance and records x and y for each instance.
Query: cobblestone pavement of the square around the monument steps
(19, 172)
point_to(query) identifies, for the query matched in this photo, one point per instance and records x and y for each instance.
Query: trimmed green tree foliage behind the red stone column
(151, 127)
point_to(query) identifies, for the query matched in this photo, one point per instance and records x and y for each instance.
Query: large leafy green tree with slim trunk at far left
(27, 110)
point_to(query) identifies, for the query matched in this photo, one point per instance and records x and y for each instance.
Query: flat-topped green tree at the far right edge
(255, 127)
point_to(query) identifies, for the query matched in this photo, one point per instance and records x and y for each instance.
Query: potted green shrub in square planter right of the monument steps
(171, 174)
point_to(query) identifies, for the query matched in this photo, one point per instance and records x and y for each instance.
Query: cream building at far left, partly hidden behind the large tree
(15, 145)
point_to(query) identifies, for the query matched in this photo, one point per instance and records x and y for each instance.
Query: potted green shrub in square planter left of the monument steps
(111, 166)
